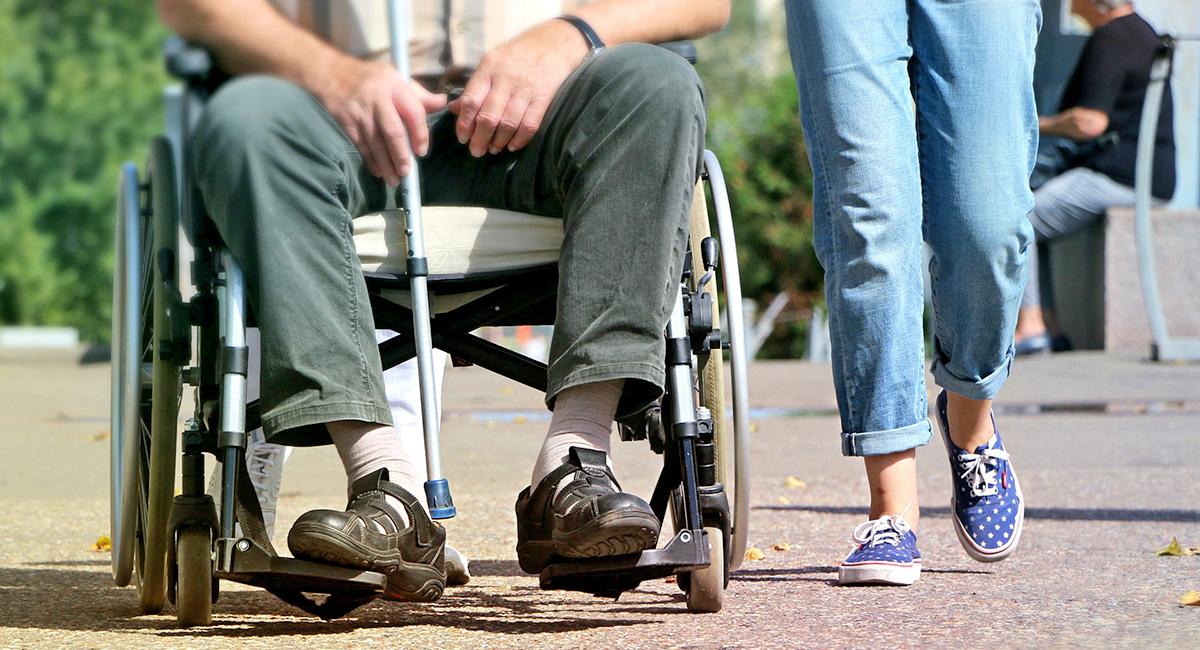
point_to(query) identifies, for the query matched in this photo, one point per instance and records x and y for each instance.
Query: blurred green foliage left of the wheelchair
(80, 93)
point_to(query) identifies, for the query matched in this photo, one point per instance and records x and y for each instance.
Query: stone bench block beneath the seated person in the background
(1097, 290)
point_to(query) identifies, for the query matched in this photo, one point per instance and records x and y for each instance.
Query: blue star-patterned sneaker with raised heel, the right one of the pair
(987, 503)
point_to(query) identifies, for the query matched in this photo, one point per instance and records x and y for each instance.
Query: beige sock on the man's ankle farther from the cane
(583, 419)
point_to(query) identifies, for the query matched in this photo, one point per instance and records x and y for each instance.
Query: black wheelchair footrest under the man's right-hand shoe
(610, 577)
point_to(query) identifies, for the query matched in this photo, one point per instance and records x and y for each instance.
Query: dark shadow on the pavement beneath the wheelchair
(55, 597)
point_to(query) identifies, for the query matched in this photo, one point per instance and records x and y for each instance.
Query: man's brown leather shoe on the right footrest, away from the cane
(590, 517)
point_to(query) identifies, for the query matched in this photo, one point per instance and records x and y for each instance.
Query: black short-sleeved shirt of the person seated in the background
(1112, 76)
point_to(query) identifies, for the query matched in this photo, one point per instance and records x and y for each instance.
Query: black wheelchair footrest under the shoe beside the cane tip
(326, 591)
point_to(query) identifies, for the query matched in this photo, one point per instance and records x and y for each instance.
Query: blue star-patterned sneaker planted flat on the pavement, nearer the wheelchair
(886, 555)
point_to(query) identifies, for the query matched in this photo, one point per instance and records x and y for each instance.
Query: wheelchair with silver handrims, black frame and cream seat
(178, 547)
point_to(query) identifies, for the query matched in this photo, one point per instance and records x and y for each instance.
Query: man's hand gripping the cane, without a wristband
(382, 115)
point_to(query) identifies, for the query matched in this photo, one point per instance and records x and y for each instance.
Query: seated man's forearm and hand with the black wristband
(507, 99)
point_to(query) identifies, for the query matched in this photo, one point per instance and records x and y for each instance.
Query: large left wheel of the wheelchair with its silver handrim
(147, 383)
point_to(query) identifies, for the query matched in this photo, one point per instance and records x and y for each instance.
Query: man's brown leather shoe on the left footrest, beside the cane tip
(412, 557)
